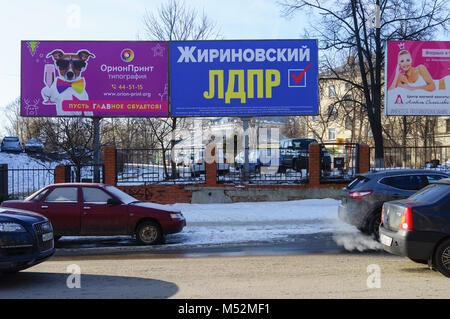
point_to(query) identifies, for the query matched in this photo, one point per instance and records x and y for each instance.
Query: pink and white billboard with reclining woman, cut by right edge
(417, 78)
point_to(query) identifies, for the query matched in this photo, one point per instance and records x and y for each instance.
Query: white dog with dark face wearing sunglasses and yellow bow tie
(69, 83)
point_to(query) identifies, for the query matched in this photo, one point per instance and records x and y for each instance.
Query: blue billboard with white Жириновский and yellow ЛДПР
(244, 78)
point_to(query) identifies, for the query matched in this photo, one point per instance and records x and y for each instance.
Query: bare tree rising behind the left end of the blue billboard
(174, 21)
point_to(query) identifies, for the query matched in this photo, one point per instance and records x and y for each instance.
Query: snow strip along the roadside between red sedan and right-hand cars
(255, 222)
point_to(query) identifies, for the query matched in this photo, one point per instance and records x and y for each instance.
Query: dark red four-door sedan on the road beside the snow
(85, 209)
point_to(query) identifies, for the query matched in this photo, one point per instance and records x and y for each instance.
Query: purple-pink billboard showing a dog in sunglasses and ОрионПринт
(94, 78)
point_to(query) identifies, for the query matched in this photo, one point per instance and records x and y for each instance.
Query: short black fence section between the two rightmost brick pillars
(339, 162)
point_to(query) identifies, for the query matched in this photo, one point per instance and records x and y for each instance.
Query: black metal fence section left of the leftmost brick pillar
(18, 183)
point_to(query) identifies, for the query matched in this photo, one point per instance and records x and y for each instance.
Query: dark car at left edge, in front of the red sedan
(26, 239)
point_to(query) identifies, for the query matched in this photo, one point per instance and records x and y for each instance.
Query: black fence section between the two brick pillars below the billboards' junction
(154, 166)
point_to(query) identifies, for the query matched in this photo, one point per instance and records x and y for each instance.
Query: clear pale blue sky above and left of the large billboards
(122, 20)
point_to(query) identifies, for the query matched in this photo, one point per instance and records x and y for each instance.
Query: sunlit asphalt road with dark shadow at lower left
(307, 266)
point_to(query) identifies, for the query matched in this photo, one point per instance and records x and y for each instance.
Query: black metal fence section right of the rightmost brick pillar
(435, 157)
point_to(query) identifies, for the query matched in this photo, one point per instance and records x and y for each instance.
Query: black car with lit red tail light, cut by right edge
(419, 227)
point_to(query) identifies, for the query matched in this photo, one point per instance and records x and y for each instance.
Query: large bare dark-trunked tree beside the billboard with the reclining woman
(344, 30)
